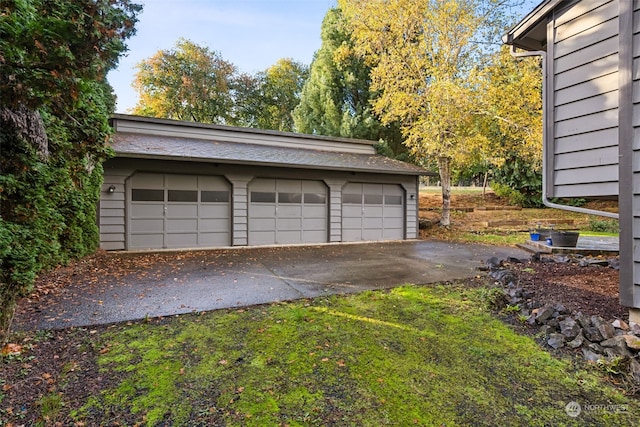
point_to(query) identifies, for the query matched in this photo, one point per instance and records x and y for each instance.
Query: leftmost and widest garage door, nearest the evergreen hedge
(178, 211)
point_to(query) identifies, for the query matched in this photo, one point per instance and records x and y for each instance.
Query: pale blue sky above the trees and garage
(251, 34)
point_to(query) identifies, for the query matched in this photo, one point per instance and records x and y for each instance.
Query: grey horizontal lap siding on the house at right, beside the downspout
(585, 100)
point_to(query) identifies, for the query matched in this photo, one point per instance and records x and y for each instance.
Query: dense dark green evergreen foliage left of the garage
(54, 110)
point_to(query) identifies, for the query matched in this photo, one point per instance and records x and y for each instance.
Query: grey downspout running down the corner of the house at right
(545, 200)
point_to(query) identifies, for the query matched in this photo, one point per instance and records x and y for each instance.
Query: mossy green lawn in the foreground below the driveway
(414, 355)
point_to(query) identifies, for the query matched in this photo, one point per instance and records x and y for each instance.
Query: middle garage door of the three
(283, 211)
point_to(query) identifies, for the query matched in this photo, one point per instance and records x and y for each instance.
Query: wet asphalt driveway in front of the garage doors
(184, 282)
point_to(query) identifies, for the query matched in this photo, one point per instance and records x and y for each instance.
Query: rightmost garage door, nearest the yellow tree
(372, 212)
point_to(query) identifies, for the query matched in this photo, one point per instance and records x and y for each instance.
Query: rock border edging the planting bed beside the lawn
(597, 339)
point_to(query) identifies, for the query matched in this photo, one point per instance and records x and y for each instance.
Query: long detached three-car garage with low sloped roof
(176, 184)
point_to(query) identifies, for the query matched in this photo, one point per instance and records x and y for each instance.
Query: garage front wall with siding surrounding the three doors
(113, 206)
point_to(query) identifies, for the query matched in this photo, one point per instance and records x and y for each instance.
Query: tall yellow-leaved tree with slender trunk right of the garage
(425, 58)
